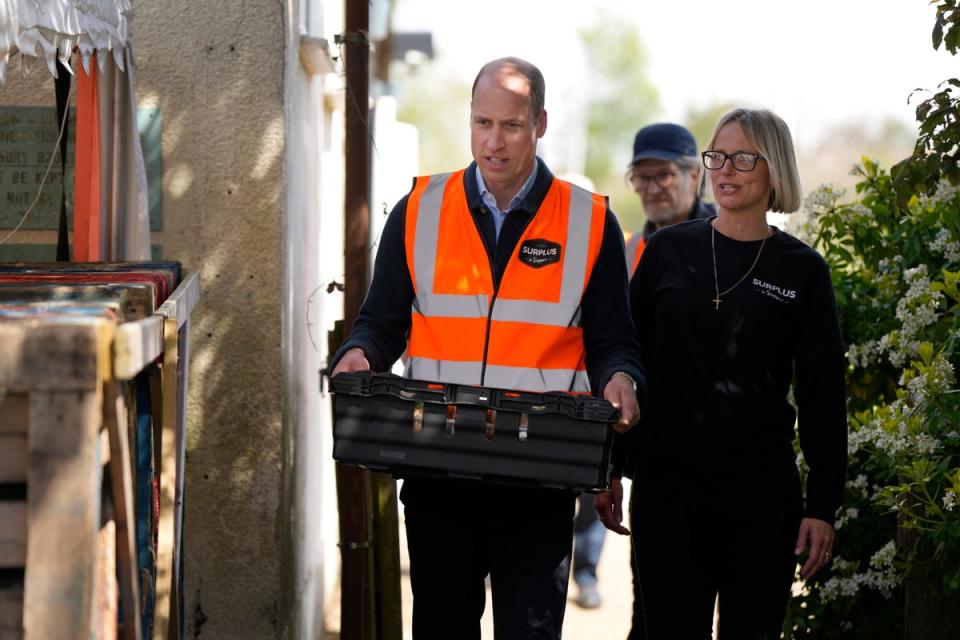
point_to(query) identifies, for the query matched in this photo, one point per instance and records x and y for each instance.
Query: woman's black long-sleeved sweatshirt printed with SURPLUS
(719, 425)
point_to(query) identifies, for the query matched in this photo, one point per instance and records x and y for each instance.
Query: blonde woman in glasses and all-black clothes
(730, 311)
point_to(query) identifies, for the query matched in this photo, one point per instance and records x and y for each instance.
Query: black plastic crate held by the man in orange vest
(414, 427)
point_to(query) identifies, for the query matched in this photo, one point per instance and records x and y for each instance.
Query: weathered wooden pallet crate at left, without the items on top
(66, 480)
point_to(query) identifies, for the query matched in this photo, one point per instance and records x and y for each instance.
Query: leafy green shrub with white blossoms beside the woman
(895, 260)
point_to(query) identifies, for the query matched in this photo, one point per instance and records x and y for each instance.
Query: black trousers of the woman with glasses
(686, 553)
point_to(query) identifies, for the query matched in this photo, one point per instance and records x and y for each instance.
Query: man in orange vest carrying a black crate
(504, 276)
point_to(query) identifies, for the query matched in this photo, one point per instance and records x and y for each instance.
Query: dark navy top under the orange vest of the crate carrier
(384, 320)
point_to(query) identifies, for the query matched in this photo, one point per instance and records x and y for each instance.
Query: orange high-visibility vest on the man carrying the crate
(524, 335)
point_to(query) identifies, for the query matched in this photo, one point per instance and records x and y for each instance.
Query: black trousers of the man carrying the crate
(460, 532)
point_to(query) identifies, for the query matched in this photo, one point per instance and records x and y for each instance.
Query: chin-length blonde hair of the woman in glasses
(771, 136)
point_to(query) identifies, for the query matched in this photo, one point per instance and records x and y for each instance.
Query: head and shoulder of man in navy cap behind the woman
(664, 173)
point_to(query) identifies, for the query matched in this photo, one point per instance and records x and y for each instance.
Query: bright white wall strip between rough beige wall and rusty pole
(314, 258)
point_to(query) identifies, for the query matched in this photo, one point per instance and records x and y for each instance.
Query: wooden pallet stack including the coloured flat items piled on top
(93, 377)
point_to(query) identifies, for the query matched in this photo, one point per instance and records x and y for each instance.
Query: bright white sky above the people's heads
(815, 62)
